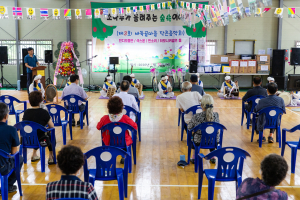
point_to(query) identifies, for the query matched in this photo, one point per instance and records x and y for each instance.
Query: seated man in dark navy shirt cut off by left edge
(9, 143)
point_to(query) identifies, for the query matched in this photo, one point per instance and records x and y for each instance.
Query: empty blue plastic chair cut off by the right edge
(294, 145)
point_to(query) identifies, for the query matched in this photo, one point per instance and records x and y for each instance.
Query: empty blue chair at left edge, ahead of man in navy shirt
(9, 101)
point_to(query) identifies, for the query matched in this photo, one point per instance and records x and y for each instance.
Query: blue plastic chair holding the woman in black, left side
(28, 132)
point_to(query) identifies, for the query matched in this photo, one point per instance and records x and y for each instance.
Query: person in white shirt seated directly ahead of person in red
(128, 99)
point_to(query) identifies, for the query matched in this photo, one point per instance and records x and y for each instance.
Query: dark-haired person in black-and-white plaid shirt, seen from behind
(70, 160)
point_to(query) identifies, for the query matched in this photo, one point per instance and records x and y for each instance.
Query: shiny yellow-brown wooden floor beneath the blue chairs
(156, 174)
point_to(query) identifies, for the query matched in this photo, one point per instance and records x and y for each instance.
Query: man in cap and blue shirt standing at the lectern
(30, 62)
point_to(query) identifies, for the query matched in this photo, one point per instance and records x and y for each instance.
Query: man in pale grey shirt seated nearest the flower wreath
(75, 89)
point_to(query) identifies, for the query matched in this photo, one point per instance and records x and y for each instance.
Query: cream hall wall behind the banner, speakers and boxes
(263, 30)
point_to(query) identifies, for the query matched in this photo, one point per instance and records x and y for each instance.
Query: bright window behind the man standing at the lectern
(39, 47)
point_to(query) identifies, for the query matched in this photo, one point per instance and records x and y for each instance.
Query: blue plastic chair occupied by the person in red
(117, 138)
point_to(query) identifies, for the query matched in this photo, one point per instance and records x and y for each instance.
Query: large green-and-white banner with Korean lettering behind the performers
(155, 38)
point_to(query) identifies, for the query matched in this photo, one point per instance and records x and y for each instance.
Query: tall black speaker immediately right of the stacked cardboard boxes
(278, 62)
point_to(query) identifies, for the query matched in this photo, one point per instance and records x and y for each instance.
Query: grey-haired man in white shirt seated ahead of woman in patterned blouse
(187, 100)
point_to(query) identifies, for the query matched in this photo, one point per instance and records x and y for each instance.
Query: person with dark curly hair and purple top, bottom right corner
(273, 171)
